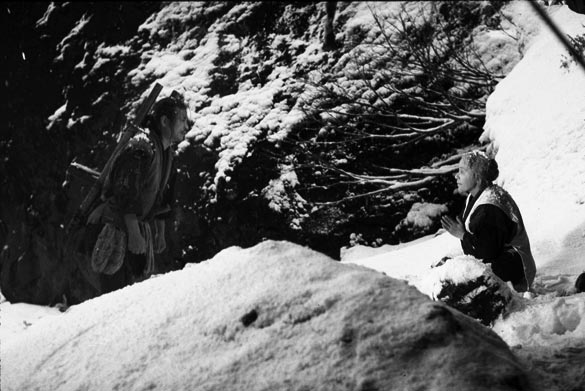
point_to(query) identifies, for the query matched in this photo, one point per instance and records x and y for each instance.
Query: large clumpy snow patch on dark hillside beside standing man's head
(229, 124)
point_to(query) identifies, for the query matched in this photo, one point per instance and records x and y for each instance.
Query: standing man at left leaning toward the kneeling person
(138, 198)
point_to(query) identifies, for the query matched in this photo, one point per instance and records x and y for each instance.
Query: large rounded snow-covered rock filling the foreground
(276, 316)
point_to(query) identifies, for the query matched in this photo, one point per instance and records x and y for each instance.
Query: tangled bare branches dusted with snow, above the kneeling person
(420, 82)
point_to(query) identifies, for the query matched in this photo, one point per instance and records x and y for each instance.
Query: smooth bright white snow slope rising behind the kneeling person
(536, 119)
